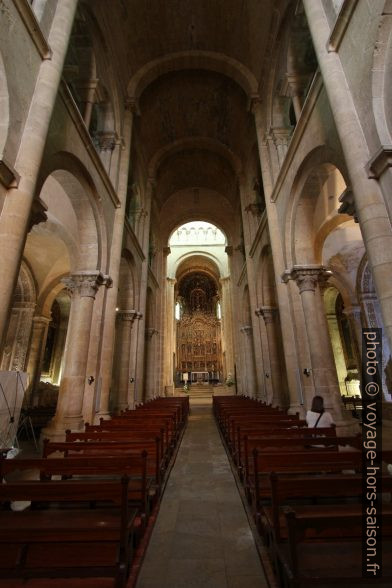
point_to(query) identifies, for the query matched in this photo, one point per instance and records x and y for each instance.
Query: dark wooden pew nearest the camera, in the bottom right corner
(325, 548)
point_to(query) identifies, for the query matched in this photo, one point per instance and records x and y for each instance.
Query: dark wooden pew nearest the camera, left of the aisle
(66, 541)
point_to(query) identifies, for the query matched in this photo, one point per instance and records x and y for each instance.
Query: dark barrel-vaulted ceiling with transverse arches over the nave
(191, 66)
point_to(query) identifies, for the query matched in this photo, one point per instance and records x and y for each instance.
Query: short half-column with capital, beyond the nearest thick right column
(269, 314)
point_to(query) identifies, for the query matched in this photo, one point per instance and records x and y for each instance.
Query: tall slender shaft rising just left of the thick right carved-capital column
(286, 320)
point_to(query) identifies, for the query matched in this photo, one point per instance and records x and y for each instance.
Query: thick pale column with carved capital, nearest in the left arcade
(83, 287)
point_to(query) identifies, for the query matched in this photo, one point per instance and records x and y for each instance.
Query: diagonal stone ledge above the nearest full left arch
(78, 121)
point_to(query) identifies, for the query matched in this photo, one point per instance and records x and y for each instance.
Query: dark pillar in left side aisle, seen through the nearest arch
(36, 354)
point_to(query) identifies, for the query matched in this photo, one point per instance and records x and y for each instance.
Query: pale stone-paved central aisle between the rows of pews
(202, 536)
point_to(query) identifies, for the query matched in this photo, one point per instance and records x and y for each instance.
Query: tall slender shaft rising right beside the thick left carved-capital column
(115, 260)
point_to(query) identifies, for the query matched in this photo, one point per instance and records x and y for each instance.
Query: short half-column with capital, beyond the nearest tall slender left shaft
(125, 319)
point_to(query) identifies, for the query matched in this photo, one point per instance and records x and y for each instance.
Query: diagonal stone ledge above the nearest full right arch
(296, 138)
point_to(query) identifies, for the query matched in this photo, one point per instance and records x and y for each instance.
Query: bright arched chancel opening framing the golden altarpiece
(198, 336)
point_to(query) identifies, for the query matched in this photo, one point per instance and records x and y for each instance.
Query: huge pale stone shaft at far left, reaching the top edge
(15, 216)
